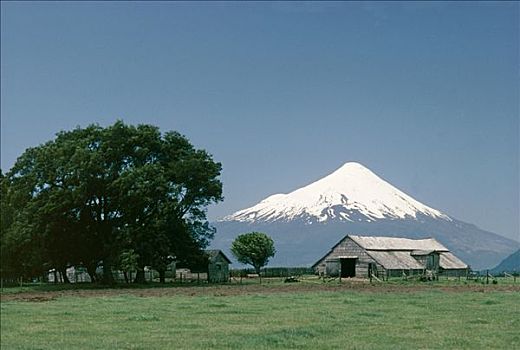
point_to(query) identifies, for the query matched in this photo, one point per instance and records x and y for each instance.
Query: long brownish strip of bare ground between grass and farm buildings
(248, 289)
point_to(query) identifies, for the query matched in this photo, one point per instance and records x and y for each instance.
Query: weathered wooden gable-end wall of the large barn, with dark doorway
(329, 265)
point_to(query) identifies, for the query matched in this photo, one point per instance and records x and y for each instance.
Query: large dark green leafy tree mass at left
(104, 196)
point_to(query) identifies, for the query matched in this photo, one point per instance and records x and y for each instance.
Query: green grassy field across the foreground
(338, 319)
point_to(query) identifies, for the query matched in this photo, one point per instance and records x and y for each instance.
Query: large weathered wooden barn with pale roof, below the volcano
(362, 256)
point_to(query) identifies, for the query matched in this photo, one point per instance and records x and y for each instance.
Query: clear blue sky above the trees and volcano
(424, 94)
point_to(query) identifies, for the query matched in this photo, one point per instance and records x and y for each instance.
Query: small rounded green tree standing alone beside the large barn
(254, 248)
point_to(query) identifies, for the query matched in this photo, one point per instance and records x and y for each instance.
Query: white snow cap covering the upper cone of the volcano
(351, 193)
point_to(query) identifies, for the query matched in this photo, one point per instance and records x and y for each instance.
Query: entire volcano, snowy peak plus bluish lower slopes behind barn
(307, 222)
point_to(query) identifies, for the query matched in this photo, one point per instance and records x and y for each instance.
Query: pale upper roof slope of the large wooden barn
(393, 243)
